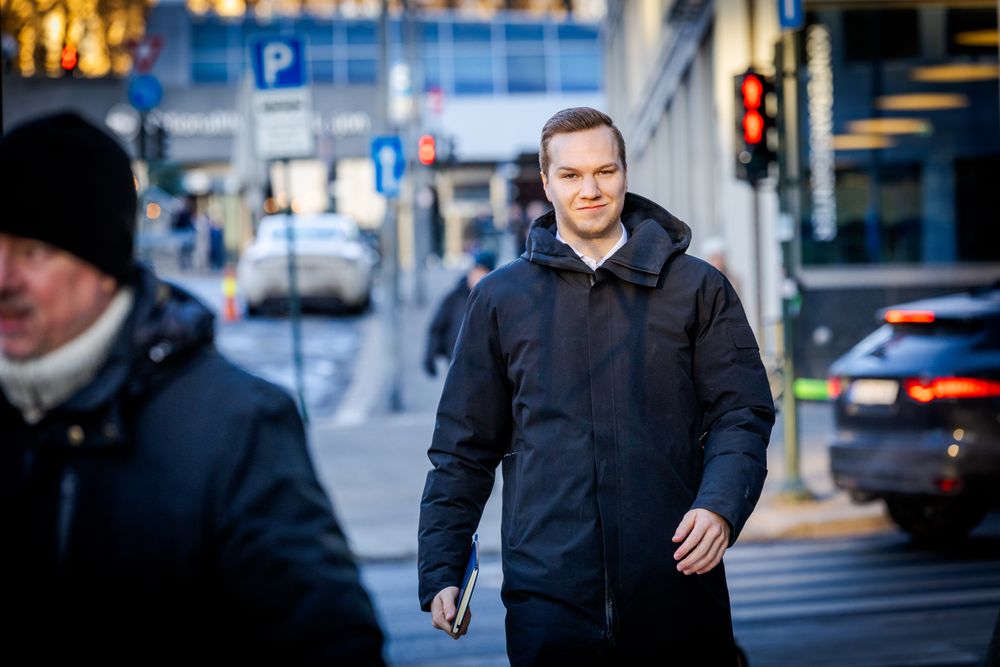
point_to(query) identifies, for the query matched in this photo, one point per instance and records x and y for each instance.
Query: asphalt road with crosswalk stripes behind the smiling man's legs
(876, 601)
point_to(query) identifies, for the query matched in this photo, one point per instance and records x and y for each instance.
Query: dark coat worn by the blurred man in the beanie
(169, 512)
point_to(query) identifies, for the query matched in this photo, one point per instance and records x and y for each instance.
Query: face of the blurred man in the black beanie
(47, 297)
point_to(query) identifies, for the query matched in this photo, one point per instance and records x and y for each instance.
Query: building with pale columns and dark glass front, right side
(888, 136)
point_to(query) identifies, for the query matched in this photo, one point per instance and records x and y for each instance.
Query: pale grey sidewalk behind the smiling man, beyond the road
(374, 462)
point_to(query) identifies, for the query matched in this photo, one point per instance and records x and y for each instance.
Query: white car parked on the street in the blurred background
(334, 266)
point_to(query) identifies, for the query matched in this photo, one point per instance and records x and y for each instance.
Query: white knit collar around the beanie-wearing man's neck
(35, 386)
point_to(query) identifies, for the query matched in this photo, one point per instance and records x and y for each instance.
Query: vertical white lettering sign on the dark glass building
(821, 159)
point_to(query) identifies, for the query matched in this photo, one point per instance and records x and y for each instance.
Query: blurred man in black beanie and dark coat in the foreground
(158, 504)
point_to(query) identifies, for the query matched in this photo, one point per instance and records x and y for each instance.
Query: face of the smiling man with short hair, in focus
(586, 184)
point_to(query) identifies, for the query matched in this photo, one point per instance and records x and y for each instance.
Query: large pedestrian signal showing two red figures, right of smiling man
(754, 124)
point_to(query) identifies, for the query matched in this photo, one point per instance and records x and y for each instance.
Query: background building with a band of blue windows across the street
(459, 73)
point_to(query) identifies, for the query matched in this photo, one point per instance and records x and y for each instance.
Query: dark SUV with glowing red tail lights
(917, 411)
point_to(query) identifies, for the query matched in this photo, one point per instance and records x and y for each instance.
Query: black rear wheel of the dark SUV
(934, 519)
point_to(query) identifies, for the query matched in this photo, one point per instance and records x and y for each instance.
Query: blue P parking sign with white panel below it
(282, 103)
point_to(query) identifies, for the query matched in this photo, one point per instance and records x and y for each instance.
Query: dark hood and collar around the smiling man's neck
(655, 235)
